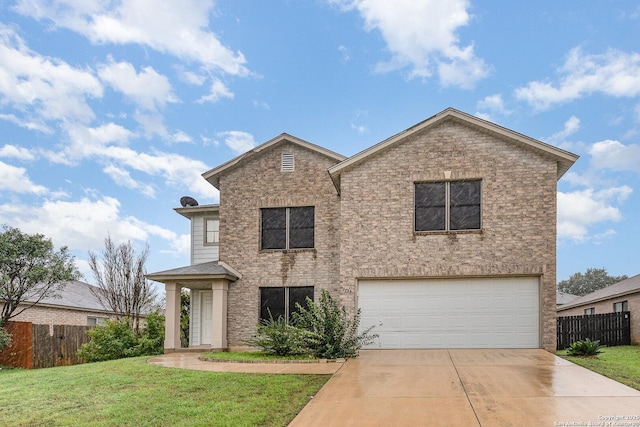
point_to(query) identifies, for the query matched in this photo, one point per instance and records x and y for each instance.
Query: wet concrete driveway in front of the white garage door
(468, 388)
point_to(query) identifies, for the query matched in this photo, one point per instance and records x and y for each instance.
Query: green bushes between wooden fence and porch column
(117, 340)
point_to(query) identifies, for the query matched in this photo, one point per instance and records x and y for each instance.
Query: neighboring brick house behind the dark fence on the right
(621, 296)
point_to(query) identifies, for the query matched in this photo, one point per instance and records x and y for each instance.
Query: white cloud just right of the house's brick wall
(579, 210)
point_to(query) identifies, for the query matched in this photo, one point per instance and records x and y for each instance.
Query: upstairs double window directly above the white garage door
(447, 206)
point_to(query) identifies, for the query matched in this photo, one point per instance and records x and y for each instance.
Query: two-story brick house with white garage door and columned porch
(443, 235)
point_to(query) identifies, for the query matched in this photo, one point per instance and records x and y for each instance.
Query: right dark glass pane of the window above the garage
(464, 210)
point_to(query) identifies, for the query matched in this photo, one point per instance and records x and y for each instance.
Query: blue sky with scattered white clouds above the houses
(111, 110)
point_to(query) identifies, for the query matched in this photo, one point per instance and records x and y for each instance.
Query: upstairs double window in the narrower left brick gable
(287, 228)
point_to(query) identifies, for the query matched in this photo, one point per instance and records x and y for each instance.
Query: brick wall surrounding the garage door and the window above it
(518, 214)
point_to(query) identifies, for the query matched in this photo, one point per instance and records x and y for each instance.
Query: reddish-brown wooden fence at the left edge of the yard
(43, 346)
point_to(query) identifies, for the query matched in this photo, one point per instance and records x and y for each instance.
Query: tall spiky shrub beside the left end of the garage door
(332, 333)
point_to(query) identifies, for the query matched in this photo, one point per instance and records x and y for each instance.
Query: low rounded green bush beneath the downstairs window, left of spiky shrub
(279, 337)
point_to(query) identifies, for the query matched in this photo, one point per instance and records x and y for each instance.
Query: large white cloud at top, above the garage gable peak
(423, 35)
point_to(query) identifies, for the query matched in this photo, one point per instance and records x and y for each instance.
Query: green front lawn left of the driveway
(131, 392)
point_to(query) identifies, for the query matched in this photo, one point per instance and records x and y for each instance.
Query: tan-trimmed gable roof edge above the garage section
(564, 158)
